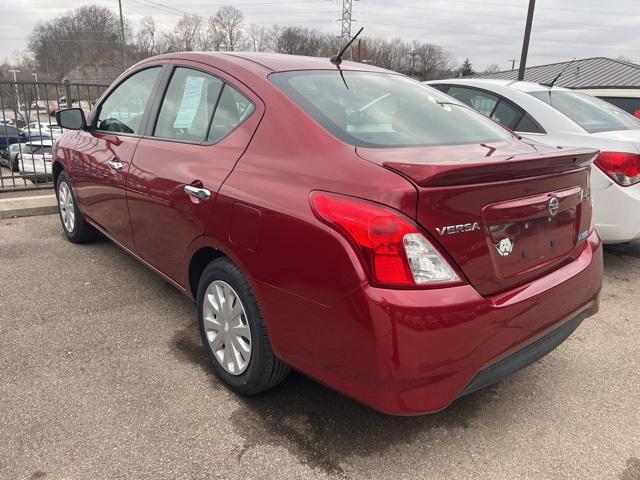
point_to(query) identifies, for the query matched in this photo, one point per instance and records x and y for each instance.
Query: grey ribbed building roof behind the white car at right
(596, 72)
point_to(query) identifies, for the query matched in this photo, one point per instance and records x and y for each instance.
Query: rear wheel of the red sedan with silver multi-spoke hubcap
(225, 331)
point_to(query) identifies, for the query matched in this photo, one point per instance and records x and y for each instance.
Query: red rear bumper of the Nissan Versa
(408, 352)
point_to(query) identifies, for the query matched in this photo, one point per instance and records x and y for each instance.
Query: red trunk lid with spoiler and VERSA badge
(506, 213)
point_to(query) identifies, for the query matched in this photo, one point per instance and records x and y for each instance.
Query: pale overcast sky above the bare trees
(488, 32)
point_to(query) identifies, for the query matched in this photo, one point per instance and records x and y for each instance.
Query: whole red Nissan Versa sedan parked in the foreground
(348, 222)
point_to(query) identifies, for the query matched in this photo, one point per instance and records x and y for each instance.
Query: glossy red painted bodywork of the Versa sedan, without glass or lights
(401, 351)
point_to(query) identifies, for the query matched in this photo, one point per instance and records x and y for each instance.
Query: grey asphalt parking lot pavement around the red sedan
(103, 377)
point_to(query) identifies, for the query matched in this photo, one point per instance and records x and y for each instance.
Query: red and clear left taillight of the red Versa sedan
(395, 251)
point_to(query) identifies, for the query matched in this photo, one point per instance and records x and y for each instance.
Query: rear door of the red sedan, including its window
(202, 127)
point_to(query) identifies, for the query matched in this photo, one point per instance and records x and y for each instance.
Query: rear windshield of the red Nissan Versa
(384, 110)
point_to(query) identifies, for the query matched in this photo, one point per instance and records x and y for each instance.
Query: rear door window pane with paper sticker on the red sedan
(188, 105)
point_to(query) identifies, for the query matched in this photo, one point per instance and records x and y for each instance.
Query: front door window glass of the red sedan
(122, 111)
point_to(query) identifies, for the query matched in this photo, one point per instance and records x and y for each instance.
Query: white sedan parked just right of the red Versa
(562, 117)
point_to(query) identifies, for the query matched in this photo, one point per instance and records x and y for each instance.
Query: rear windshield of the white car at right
(592, 114)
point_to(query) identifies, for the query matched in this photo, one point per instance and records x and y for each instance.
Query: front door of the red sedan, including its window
(103, 152)
